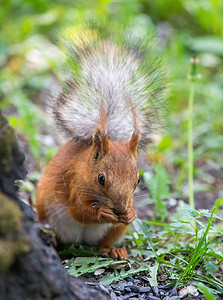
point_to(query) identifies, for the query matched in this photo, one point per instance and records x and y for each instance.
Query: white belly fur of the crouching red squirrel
(70, 231)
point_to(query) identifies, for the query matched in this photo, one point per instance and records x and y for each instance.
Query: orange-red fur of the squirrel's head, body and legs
(70, 182)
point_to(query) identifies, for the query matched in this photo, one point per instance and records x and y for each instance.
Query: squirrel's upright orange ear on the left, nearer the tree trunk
(100, 144)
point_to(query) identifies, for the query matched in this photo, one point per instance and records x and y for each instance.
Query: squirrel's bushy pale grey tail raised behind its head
(127, 81)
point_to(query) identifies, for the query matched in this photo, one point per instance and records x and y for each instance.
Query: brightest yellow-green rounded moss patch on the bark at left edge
(10, 217)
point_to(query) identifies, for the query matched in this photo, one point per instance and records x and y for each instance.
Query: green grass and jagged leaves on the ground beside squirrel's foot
(188, 249)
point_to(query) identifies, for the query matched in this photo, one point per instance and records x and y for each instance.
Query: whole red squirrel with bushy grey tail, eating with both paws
(107, 110)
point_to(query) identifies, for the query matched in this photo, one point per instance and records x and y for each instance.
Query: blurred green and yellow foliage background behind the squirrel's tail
(30, 58)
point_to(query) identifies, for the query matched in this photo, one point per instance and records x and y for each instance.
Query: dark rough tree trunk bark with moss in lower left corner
(29, 265)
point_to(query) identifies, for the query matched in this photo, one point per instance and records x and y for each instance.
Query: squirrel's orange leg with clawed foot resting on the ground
(106, 244)
